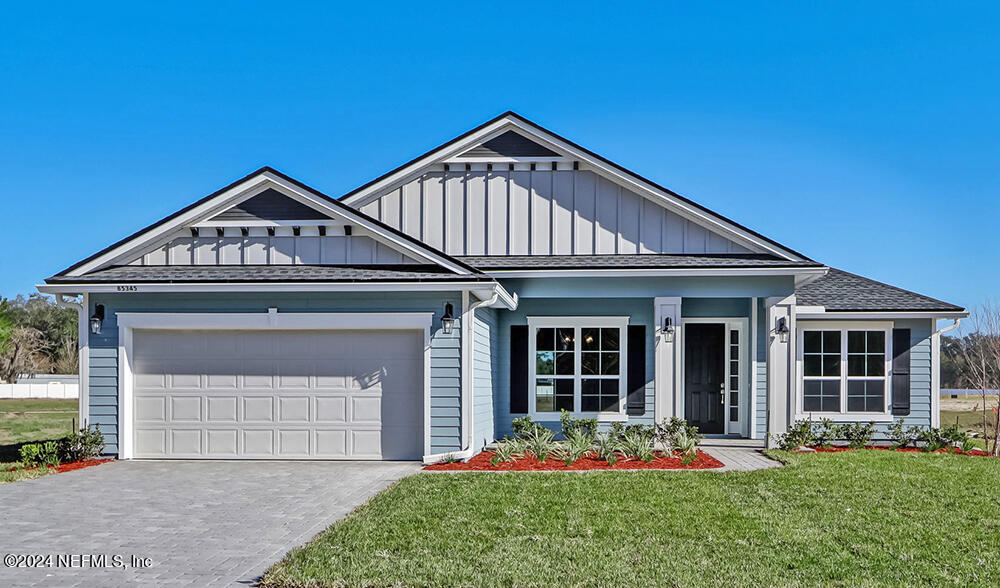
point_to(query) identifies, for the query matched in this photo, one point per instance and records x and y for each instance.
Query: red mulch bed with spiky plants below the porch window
(481, 463)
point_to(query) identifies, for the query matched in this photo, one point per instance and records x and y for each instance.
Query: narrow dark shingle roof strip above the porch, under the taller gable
(650, 261)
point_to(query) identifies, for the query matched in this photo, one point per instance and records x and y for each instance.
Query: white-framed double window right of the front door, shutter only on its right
(844, 368)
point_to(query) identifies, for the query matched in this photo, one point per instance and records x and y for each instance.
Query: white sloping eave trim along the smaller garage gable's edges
(200, 213)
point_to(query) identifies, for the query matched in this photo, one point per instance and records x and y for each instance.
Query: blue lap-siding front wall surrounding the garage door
(446, 373)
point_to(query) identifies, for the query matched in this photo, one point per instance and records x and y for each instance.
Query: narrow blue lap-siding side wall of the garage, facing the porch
(484, 376)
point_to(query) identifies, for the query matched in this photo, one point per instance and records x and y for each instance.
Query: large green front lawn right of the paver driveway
(857, 518)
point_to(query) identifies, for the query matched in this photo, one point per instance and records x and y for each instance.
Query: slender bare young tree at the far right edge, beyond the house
(978, 363)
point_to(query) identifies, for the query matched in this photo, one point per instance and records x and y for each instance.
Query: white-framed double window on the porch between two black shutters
(577, 364)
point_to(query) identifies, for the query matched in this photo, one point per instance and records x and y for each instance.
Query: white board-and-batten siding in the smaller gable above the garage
(284, 248)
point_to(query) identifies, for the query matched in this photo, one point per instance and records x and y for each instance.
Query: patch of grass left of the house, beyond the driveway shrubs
(26, 420)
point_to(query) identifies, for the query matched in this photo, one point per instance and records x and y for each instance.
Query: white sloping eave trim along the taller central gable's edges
(449, 152)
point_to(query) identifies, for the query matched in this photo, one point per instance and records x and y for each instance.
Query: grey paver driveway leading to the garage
(205, 523)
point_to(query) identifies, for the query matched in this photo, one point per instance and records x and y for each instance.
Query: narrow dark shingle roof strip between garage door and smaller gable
(270, 273)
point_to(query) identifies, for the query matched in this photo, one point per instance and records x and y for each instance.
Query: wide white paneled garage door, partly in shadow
(278, 394)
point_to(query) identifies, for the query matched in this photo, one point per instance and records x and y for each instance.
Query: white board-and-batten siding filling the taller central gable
(537, 212)
